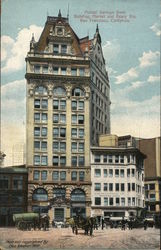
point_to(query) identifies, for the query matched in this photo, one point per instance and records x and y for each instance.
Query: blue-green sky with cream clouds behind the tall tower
(130, 33)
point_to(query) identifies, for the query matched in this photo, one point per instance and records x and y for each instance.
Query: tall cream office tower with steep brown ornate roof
(67, 108)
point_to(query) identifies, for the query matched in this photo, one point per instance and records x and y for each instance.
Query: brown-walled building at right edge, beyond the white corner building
(152, 166)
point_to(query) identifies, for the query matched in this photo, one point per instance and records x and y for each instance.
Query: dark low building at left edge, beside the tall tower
(13, 193)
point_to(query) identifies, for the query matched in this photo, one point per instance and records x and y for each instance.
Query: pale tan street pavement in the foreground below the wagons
(63, 238)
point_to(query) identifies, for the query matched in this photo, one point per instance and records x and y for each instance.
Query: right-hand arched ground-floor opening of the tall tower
(78, 201)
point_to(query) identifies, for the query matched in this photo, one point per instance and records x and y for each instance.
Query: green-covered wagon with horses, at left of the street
(28, 221)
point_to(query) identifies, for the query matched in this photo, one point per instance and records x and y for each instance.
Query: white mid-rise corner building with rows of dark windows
(117, 178)
